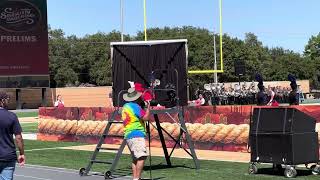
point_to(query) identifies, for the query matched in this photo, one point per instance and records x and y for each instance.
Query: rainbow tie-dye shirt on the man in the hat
(133, 125)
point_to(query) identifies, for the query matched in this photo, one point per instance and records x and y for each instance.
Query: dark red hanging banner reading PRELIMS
(23, 44)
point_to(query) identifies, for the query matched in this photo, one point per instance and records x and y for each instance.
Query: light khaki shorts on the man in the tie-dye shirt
(137, 147)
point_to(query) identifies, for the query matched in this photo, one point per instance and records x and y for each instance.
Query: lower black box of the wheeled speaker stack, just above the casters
(278, 148)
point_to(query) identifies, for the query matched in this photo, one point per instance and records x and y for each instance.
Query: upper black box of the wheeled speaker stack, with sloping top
(285, 120)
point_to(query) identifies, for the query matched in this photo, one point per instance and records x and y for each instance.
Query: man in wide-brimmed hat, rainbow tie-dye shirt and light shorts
(133, 117)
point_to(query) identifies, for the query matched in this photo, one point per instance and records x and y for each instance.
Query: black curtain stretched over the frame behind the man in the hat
(136, 62)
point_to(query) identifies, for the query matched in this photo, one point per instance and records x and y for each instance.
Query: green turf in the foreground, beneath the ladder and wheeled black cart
(182, 168)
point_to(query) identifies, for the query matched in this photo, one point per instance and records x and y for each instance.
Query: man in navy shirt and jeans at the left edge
(9, 126)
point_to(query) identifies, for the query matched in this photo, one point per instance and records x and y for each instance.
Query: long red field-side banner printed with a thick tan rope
(223, 128)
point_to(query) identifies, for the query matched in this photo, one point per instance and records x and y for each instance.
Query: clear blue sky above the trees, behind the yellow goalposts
(285, 23)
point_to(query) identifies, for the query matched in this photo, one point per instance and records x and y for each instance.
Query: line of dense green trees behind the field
(76, 60)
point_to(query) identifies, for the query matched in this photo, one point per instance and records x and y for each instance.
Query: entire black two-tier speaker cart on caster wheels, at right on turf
(284, 137)
